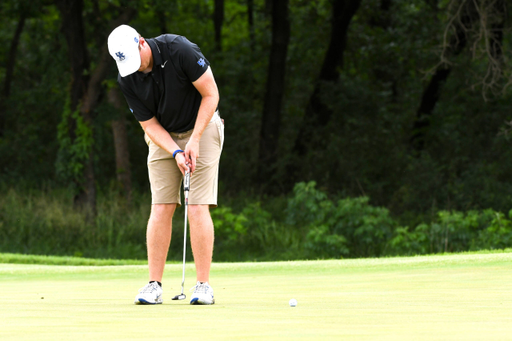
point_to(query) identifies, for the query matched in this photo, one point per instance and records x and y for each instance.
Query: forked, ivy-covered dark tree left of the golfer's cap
(84, 95)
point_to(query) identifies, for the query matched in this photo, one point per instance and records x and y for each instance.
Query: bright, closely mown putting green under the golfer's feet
(445, 297)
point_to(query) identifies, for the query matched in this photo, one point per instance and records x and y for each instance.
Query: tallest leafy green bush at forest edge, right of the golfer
(349, 227)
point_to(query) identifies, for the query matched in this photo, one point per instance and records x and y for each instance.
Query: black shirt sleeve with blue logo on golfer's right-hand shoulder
(191, 59)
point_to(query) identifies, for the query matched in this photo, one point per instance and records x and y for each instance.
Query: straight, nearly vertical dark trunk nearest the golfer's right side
(271, 120)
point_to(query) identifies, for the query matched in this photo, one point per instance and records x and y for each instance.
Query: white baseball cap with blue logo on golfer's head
(123, 45)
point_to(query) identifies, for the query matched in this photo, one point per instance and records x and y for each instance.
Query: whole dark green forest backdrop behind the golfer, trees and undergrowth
(354, 128)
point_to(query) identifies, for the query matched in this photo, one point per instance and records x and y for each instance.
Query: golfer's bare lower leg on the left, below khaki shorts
(158, 237)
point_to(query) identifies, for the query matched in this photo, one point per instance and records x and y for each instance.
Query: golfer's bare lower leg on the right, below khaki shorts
(201, 239)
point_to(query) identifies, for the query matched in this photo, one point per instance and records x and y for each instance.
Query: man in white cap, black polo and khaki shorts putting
(171, 91)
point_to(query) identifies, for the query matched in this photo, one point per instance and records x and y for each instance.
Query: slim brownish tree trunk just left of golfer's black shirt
(123, 169)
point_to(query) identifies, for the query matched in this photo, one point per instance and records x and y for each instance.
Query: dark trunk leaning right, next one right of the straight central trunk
(317, 113)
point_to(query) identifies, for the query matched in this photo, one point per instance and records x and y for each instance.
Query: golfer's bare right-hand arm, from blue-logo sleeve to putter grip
(210, 99)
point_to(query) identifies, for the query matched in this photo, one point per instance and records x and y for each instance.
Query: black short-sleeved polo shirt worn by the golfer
(167, 92)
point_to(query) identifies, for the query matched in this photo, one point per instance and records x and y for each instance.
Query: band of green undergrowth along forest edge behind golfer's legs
(310, 226)
